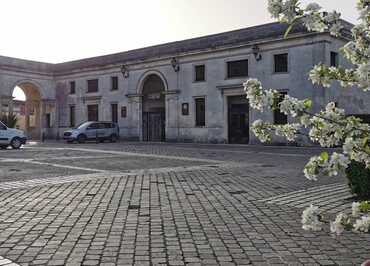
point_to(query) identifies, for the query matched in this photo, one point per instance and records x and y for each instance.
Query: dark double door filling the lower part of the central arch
(154, 125)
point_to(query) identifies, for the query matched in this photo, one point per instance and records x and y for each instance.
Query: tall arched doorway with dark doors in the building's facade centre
(153, 109)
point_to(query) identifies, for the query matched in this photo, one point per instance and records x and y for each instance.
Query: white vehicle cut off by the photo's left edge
(11, 136)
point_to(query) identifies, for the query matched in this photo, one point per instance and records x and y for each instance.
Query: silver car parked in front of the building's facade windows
(93, 130)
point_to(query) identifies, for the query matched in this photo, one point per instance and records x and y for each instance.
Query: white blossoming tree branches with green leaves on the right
(330, 127)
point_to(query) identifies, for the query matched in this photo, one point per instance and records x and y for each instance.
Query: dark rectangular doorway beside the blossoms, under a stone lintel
(238, 120)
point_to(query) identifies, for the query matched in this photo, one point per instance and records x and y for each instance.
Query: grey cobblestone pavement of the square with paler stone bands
(167, 204)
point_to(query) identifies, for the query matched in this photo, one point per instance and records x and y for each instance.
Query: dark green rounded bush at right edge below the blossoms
(359, 180)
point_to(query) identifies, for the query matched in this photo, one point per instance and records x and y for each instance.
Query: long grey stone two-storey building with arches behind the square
(188, 91)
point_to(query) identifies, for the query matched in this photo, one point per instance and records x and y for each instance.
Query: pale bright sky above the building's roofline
(62, 30)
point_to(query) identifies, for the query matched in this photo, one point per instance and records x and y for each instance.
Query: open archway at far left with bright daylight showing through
(26, 105)
